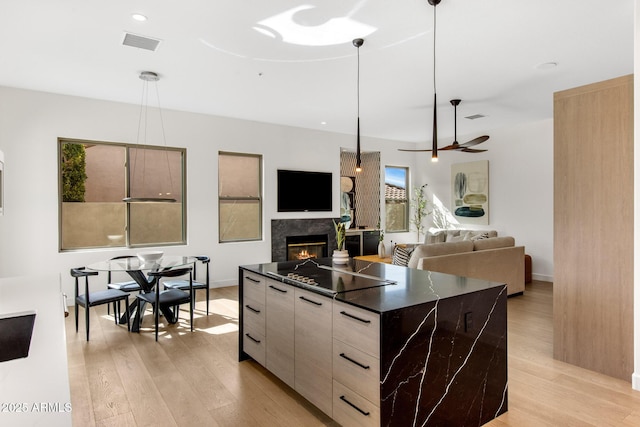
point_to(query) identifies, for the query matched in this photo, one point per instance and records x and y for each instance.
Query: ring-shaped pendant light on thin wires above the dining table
(147, 77)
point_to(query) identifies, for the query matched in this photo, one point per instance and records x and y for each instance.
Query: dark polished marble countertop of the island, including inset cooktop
(373, 286)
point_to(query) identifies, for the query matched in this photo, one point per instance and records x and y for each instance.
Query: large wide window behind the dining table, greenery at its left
(95, 177)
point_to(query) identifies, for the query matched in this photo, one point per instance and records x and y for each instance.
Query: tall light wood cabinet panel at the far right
(593, 227)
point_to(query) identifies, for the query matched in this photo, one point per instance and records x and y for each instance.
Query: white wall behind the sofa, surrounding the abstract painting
(520, 186)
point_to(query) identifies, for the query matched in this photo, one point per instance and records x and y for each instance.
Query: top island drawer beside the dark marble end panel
(357, 327)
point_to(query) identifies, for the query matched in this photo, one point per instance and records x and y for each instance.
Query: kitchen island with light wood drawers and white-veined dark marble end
(376, 344)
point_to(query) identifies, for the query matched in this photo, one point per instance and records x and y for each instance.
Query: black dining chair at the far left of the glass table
(92, 299)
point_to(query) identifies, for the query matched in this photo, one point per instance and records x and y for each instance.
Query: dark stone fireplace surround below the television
(281, 228)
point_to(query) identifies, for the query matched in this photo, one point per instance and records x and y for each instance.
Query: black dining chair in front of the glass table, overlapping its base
(169, 297)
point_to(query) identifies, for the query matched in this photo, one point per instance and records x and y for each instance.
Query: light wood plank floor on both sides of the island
(194, 379)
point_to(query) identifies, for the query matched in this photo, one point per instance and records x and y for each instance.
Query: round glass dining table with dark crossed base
(138, 269)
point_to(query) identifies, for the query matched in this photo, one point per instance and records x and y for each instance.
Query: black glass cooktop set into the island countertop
(325, 278)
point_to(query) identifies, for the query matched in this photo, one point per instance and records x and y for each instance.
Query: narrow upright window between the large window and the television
(239, 197)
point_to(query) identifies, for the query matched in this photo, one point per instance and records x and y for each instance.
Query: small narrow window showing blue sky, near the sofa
(396, 203)
